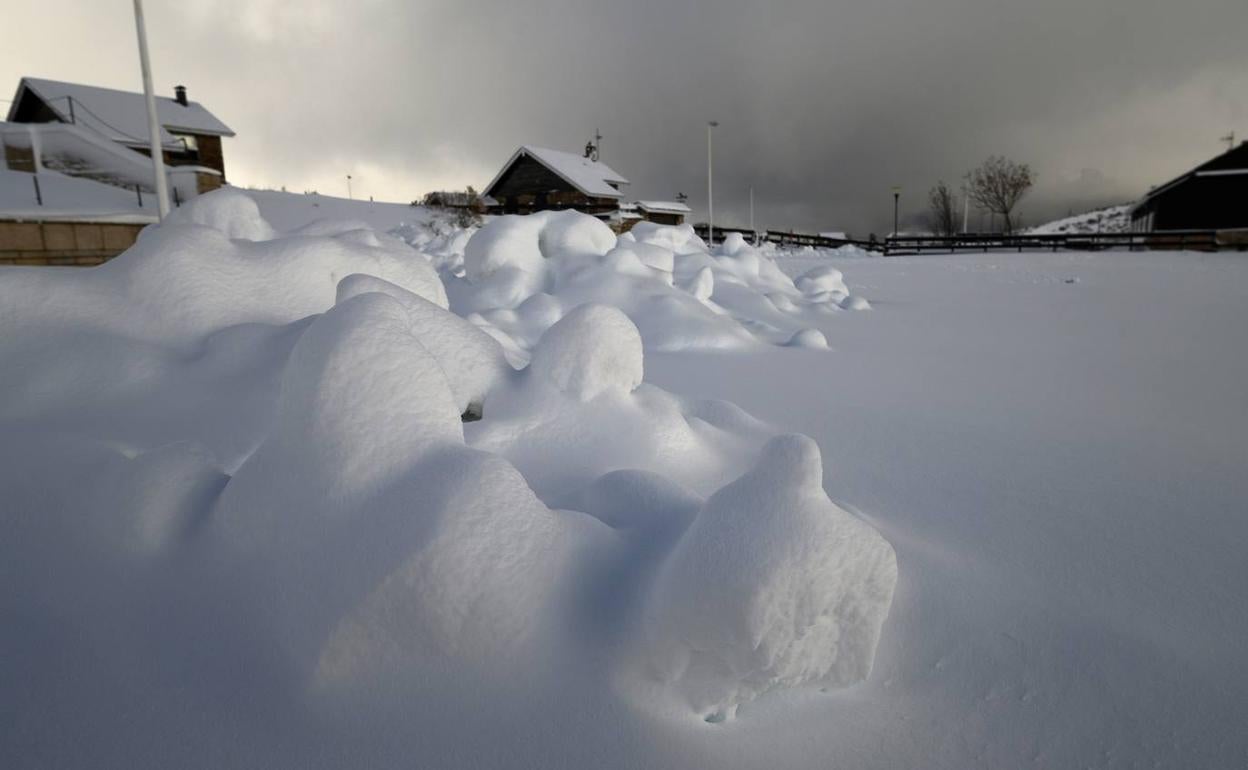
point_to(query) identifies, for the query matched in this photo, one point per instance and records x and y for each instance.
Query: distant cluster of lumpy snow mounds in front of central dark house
(680, 294)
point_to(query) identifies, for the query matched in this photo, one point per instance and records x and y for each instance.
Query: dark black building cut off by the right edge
(1212, 197)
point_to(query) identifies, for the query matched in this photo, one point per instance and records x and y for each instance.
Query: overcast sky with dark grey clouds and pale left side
(823, 105)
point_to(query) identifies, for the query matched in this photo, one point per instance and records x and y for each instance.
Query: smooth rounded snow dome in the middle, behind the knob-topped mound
(595, 349)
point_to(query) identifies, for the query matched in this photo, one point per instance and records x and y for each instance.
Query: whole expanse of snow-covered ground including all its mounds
(245, 525)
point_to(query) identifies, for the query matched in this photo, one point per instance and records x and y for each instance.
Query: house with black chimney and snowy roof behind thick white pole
(189, 133)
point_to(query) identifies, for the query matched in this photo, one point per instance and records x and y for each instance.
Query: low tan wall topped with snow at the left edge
(83, 244)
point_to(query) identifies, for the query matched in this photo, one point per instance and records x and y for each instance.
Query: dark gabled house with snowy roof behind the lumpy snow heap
(537, 179)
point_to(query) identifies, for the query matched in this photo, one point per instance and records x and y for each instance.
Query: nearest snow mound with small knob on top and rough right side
(772, 586)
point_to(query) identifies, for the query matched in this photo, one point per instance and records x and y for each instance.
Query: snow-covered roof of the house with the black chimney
(120, 115)
